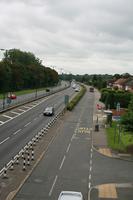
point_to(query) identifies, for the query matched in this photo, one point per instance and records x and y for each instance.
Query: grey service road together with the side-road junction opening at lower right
(70, 162)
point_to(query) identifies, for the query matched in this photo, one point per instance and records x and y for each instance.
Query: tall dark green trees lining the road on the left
(22, 70)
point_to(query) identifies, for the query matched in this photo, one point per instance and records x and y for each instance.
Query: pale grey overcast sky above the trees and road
(77, 36)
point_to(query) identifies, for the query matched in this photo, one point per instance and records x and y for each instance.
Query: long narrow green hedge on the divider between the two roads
(76, 99)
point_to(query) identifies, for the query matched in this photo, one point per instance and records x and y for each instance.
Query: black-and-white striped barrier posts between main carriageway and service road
(27, 154)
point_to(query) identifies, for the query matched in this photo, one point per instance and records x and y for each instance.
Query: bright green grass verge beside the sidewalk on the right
(115, 143)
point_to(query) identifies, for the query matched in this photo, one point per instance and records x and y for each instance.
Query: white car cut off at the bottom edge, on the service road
(70, 195)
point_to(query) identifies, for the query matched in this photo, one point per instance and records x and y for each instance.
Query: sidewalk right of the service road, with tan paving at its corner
(99, 136)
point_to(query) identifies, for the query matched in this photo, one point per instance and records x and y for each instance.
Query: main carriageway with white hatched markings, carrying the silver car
(18, 126)
